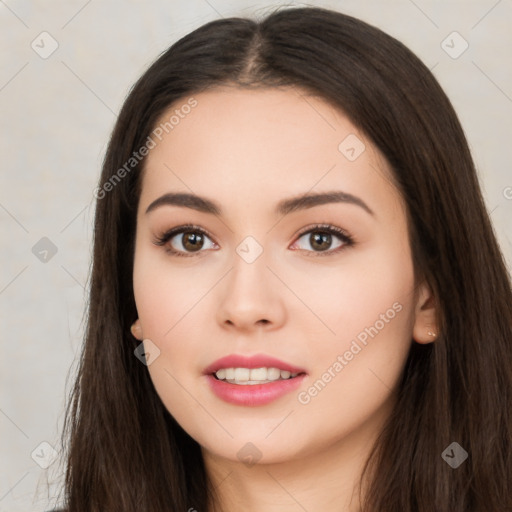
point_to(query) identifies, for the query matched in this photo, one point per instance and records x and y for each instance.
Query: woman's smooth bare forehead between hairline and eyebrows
(256, 146)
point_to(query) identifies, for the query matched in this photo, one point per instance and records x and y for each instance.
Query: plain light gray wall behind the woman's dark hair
(57, 114)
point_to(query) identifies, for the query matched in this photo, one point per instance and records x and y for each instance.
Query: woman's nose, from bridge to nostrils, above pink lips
(251, 297)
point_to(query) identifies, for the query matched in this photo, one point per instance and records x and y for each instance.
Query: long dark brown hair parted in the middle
(125, 450)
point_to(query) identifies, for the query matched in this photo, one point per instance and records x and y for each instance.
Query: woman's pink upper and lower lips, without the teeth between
(252, 394)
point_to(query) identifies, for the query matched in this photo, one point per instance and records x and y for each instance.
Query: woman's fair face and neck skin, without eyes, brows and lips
(247, 150)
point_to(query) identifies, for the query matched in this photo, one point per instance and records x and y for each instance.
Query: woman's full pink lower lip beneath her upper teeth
(253, 394)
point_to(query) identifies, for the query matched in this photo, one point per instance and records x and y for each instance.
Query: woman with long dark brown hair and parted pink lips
(297, 299)
